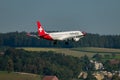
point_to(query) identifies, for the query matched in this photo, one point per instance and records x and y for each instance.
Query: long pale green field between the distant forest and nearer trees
(78, 52)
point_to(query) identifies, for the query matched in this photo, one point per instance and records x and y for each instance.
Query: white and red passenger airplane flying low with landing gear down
(58, 36)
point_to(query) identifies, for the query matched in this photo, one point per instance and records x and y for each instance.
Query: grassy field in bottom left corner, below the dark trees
(18, 76)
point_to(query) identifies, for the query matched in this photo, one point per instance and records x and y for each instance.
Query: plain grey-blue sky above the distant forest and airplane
(92, 16)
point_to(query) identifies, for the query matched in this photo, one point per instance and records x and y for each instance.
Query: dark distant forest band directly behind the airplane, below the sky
(19, 39)
